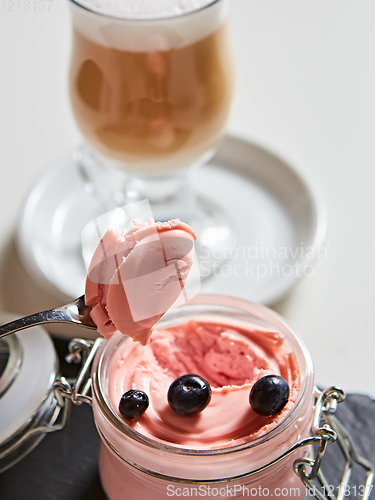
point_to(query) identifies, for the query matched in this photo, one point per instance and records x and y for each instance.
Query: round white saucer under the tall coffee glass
(279, 213)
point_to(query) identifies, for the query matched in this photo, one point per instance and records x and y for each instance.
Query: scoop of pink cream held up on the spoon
(134, 277)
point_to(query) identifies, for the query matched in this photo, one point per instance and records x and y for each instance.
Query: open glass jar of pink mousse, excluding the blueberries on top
(225, 450)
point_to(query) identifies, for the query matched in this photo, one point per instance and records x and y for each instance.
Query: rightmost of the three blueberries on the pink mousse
(269, 395)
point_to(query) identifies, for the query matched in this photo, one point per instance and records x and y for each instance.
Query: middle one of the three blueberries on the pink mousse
(189, 394)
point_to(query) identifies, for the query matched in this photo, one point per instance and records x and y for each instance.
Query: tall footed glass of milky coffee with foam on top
(151, 92)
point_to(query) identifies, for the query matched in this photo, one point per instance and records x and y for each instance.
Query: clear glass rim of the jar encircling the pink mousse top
(210, 300)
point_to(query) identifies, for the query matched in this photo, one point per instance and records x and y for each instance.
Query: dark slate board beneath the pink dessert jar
(64, 465)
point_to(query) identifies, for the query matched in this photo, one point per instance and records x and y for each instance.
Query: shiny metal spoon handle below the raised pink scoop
(76, 312)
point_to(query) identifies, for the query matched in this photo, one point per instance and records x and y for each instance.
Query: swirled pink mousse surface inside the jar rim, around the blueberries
(231, 358)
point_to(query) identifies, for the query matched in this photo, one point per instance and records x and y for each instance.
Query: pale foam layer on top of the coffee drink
(147, 25)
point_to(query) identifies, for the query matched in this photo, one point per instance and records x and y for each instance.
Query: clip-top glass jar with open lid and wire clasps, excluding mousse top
(133, 466)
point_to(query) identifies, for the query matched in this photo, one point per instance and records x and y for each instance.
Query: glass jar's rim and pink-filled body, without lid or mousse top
(134, 466)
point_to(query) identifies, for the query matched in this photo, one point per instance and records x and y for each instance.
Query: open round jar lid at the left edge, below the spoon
(28, 369)
